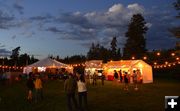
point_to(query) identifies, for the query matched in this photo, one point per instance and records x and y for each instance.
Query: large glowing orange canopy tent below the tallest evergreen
(129, 66)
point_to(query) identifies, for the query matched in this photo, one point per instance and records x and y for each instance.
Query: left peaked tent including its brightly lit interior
(47, 65)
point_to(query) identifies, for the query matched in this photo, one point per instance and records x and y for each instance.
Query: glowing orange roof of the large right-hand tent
(124, 63)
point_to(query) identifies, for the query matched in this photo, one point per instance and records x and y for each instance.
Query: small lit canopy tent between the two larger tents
(92, 66)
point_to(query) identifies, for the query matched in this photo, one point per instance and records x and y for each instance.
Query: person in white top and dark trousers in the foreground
(82, 92)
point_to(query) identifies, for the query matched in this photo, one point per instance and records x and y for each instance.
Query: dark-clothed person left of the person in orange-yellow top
(30, 86)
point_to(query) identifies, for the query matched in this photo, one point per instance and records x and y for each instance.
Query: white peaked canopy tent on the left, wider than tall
(43, 64)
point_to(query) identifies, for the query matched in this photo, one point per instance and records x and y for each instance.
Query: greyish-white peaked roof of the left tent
(48, 62)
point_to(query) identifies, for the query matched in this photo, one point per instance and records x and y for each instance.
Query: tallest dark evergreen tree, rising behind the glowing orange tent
(135, 44)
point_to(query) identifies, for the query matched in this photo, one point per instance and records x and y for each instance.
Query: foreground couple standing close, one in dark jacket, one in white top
(72, 83)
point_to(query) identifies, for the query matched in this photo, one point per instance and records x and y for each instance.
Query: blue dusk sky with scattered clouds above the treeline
(68, 27)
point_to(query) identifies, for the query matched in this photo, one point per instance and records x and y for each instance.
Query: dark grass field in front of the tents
(110, 97)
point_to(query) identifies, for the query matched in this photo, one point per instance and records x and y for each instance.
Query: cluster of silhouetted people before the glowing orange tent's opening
(125, 77)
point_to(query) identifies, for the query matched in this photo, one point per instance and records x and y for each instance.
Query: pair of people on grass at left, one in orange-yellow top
(34, 84)
